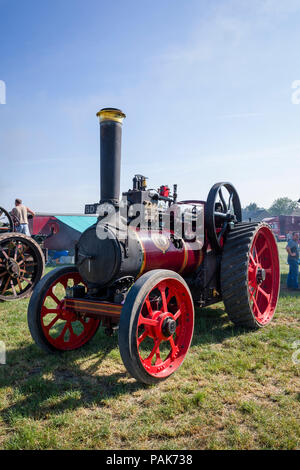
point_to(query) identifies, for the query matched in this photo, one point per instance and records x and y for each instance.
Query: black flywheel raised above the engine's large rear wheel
(222, 209)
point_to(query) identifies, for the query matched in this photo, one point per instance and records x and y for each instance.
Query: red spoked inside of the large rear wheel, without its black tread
(263, 276)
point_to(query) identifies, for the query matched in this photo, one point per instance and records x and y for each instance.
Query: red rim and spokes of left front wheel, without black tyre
(59, 330)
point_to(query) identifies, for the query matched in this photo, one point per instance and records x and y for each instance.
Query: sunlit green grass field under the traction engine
(236, 389)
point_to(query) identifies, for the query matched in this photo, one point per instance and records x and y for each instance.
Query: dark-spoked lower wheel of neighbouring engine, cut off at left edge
(22, 265)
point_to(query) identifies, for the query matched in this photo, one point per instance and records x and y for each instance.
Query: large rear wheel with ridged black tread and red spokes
(250, 275)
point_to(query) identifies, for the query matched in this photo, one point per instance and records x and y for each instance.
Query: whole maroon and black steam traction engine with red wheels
(147, 262)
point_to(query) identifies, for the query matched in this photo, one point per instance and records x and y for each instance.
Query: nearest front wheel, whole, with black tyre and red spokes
(156, 326)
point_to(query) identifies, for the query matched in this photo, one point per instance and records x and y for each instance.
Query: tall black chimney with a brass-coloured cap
(110, 153)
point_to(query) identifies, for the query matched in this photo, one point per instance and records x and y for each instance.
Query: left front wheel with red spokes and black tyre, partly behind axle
(51, 324)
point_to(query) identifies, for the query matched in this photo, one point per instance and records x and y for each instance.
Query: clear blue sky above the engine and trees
(205, 84)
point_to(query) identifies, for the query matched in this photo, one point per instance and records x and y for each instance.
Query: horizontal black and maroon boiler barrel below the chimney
(101, 261)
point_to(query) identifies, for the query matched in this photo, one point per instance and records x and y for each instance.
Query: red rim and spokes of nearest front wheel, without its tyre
(156, 322)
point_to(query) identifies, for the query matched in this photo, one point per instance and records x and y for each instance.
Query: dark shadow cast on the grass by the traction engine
(44, 385)
